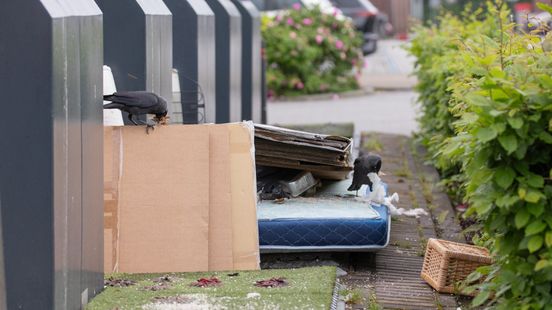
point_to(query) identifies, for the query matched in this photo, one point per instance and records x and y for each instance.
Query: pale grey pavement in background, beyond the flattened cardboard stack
(390, 110)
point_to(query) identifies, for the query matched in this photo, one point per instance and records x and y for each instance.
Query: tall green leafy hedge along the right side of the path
(486, 98)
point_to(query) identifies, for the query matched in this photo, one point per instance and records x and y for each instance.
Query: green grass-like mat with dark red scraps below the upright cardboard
(305, 288)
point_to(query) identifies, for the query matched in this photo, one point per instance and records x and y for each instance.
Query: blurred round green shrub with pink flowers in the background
(308, 52)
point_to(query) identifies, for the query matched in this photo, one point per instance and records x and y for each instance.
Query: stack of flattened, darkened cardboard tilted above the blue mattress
(327, 157)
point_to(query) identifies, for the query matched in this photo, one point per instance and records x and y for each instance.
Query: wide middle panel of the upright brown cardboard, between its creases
(164, 200)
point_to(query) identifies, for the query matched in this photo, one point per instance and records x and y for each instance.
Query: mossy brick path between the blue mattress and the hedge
(394, 281)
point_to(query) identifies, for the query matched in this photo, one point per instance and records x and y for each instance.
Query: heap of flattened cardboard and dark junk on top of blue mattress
(291, 163)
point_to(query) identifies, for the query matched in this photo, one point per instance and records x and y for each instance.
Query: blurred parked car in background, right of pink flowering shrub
(367, 19)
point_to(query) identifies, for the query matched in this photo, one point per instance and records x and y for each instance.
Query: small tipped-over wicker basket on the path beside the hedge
(446, 263)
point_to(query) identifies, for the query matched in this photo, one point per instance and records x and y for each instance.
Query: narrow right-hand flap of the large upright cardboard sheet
(244, 212)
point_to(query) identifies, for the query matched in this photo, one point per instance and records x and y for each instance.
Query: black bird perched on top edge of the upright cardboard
(139, 103)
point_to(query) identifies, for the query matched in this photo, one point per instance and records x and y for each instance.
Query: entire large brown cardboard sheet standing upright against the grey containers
(180, 199)
